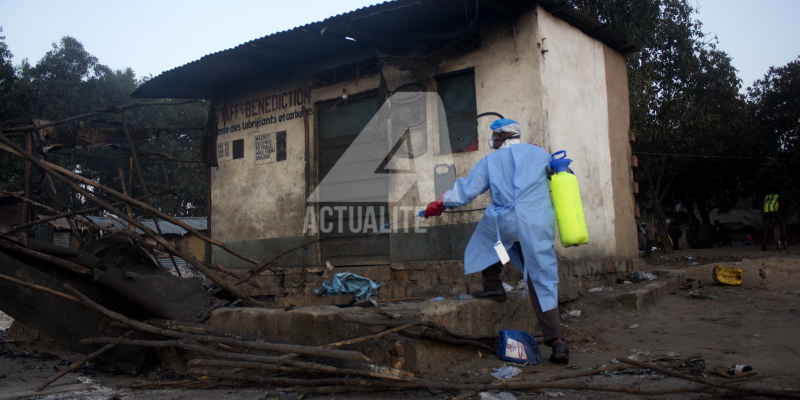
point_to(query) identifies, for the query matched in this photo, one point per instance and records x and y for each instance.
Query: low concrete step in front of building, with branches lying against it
(320, 325)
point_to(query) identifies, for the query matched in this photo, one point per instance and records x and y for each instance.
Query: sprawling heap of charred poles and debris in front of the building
(113, 302)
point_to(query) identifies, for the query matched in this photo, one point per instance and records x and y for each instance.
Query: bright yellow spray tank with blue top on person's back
(567, 202)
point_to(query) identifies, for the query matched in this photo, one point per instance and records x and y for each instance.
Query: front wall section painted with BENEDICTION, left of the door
(260, 201)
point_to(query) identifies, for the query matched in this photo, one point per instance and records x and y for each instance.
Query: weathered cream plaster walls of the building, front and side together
(574, 97)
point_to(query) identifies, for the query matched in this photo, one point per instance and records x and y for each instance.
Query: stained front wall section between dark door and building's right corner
(506, 81)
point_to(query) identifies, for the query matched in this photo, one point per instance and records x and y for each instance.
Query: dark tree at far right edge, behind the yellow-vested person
(775, 124)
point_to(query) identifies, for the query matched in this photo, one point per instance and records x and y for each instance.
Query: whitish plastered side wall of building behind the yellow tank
(575, 105)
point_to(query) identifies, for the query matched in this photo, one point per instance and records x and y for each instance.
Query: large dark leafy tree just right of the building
(684, 102)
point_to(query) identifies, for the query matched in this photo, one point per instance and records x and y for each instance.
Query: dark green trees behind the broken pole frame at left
(69, 81)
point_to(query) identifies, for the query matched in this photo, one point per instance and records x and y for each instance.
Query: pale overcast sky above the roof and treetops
(155, 36)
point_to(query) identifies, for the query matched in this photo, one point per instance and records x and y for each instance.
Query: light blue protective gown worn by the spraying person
(521, 208)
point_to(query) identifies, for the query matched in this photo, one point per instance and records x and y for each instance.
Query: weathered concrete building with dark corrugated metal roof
(290, 104)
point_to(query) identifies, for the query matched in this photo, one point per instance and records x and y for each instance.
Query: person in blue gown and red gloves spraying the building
(516, 174)
